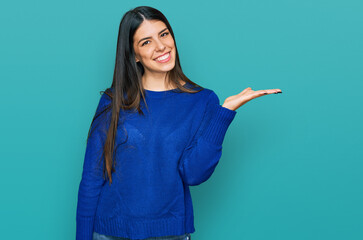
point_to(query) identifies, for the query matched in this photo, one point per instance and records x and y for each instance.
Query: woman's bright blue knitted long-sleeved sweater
(176, 144)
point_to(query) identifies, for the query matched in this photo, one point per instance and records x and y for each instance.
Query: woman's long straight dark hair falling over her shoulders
(127, 90)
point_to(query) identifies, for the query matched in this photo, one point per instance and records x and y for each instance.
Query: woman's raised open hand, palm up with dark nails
(236, 101)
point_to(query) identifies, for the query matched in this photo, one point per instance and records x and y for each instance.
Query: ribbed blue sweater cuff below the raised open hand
(219, 121)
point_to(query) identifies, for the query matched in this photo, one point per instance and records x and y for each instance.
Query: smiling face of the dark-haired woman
(154, 47)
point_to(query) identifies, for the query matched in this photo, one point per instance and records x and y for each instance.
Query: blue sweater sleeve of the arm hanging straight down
(92, 175)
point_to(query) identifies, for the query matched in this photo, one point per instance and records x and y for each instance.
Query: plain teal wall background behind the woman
(292, 163)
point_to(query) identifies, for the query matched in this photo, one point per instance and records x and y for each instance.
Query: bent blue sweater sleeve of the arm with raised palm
(202, 155)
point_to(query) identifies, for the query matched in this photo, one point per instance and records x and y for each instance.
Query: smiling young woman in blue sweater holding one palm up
(154, 134)
